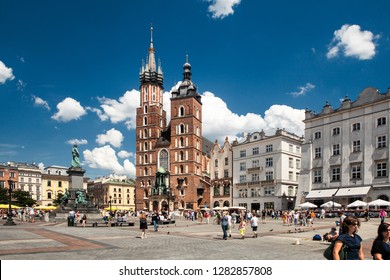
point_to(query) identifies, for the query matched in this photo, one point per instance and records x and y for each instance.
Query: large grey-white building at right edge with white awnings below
(345, 155)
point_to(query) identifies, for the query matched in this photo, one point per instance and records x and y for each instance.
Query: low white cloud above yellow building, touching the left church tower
(106, 159)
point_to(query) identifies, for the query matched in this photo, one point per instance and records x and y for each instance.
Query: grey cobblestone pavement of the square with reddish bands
(185, 240)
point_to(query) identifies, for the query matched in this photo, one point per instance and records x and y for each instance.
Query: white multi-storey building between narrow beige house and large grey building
(266, 170)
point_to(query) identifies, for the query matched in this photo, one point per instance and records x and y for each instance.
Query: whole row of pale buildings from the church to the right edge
(343, 156)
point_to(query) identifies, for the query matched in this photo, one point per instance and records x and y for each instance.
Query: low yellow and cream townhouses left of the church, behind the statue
(45, 185)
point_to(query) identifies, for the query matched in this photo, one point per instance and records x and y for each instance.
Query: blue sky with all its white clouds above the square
(69, 69)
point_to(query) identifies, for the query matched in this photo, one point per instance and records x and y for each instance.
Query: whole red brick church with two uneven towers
(172, 160)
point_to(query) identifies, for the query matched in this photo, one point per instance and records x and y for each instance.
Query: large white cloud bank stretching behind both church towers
(219, 121)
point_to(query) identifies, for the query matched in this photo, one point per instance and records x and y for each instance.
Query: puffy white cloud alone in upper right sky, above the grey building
(353, 42)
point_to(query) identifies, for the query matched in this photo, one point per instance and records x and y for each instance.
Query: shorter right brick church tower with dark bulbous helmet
(186, 143)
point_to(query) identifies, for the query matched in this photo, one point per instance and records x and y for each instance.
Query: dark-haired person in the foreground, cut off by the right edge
(381, 246)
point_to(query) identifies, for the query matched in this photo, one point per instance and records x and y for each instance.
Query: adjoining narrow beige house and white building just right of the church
(260, 172)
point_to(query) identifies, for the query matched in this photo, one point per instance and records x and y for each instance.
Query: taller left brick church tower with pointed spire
(150, 122)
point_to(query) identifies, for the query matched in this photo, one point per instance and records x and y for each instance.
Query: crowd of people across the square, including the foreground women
(347, 236)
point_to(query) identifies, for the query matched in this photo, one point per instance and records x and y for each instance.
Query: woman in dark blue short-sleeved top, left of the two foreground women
(351, 239)
